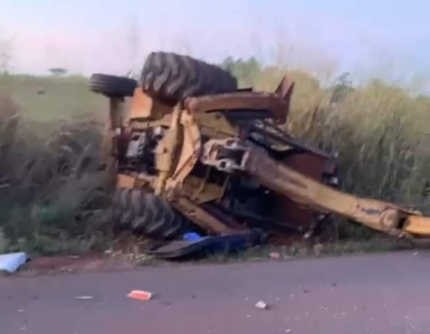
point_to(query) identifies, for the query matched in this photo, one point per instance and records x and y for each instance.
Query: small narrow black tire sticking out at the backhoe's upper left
(112, 85)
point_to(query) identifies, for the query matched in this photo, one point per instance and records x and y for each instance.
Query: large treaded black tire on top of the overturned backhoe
(173, 77)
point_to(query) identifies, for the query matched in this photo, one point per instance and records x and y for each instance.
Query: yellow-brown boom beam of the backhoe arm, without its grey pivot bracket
(304, 190)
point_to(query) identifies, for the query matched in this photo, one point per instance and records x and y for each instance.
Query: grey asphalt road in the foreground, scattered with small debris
(366, 294)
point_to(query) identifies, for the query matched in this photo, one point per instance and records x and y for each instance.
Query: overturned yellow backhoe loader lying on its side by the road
(195, 153)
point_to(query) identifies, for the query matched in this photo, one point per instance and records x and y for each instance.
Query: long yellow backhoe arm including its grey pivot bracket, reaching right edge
(234, 156)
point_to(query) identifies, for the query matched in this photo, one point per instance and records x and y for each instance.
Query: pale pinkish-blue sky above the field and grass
(87, 36)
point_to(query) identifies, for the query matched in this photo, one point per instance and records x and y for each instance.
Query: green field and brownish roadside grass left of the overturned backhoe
(54, 189)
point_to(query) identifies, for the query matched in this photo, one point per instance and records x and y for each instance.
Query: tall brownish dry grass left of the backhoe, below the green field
(53, 189)
